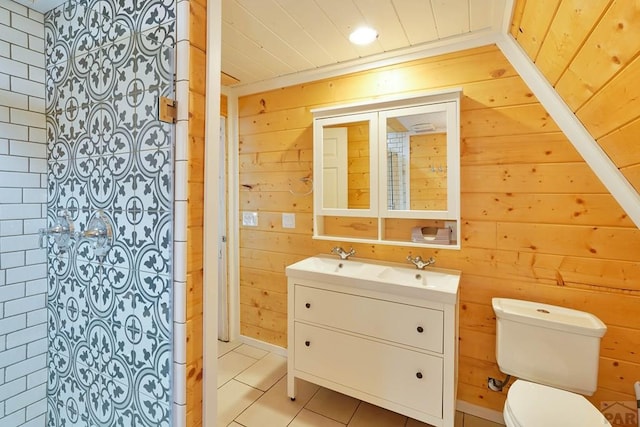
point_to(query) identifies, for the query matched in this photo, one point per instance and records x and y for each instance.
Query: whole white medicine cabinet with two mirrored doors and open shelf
(388, 171)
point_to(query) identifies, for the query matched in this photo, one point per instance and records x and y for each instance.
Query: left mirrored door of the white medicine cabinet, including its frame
(346, 163)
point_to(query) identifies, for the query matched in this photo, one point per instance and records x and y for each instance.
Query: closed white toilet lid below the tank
(534, 405)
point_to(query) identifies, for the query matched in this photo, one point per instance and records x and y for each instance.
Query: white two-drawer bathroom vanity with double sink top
(380, 332)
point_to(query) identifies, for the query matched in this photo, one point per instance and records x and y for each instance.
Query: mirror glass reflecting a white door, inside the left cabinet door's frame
(345, 170)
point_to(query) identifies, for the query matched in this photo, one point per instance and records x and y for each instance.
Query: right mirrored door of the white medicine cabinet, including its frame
(418, 162)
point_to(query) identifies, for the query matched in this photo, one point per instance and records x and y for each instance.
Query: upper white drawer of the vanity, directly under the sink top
(406, 324)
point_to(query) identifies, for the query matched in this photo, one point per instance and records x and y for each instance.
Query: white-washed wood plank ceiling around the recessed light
(265, 39)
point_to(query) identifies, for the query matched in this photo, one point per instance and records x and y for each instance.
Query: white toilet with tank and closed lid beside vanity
(554, 352)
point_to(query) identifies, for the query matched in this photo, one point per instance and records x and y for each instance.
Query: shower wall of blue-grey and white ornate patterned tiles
(110, 319)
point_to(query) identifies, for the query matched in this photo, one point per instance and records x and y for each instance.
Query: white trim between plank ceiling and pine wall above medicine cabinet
(439, 47)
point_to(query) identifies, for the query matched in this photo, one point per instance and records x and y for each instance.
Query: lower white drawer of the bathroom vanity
(398, 375)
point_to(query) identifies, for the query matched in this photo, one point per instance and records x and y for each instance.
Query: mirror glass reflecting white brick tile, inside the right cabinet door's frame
(417, 162)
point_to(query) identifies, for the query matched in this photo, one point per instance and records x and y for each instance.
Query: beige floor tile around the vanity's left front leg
(274, 408)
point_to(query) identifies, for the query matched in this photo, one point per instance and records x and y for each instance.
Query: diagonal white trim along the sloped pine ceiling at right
(619, 187)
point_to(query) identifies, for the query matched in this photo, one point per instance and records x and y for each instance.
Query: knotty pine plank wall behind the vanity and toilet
(536, 222)
